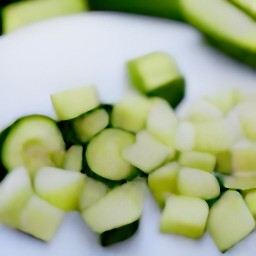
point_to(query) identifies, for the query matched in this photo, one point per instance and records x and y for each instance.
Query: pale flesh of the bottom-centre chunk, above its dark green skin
(121, 206)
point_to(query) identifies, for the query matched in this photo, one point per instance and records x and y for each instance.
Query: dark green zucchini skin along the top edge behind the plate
(159, 8)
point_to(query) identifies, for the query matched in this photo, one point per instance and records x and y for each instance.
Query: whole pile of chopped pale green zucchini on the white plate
(198, 163)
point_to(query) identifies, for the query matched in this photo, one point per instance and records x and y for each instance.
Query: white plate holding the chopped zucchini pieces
(93, 48)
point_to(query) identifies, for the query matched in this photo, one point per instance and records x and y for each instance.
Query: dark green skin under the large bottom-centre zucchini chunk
(120, 234)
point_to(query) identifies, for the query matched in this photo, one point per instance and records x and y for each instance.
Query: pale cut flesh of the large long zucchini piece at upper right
(221, 19)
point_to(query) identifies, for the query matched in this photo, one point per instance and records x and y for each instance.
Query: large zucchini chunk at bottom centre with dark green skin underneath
(115, 216)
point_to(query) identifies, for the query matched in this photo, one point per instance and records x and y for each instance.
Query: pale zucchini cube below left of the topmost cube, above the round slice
(131, 113)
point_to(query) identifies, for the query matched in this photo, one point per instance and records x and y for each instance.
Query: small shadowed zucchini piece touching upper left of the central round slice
(89, 124)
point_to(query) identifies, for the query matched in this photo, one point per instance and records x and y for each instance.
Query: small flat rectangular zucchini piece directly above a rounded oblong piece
(199, 160)
